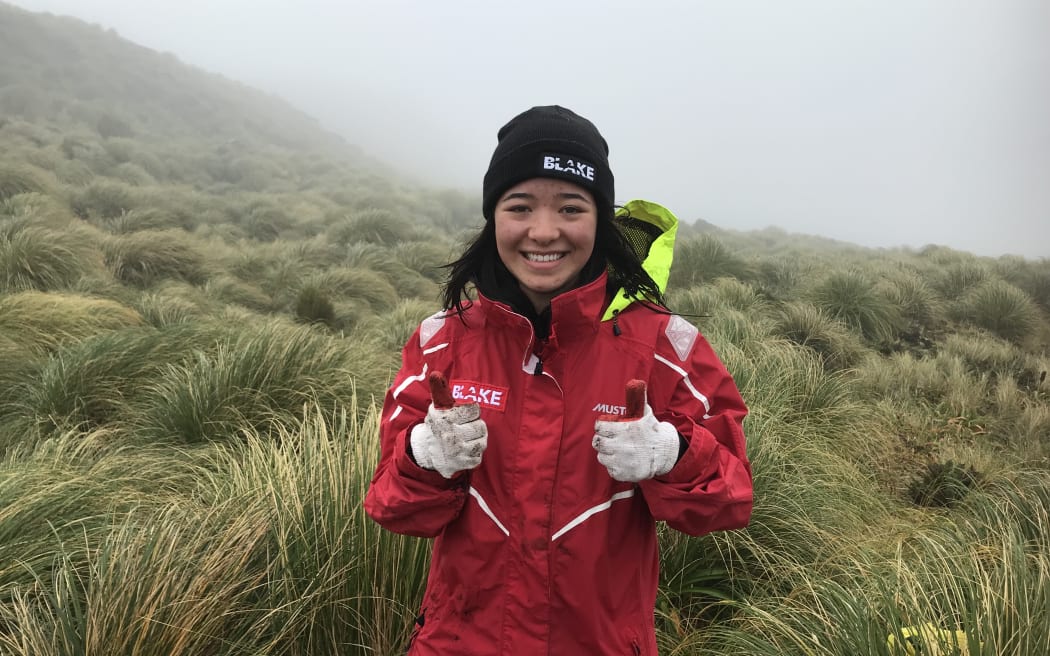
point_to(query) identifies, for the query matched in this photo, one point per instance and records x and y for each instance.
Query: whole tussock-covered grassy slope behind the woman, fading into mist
(202, 295)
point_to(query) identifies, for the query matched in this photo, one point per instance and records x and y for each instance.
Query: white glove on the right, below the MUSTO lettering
(637, 450)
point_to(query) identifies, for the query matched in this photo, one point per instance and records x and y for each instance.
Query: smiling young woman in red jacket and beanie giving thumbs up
(542, 484)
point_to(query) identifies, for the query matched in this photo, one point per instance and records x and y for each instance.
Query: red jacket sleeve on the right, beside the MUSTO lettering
(710, 489)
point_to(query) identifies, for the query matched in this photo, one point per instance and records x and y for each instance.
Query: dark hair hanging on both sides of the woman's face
(613, 252)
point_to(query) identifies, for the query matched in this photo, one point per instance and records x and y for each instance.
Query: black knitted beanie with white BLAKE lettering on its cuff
(549, 142)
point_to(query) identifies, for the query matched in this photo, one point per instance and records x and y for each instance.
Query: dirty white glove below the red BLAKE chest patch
(450, 440)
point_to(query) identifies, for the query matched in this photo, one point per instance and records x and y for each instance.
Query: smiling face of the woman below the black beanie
(545, 235)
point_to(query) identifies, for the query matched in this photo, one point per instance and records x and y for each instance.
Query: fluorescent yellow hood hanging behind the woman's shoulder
(656, 252)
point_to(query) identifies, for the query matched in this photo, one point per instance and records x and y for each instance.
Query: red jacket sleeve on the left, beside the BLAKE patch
(405, 498)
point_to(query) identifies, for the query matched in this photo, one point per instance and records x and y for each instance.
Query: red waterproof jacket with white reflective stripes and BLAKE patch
(538, 551)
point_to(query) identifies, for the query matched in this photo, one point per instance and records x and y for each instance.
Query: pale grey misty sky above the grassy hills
(888, 123)
